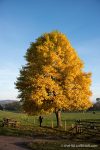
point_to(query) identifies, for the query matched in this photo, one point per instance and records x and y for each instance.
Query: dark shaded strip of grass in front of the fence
(52, 134)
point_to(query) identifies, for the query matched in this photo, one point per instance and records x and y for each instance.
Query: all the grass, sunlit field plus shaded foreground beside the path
(56, 138)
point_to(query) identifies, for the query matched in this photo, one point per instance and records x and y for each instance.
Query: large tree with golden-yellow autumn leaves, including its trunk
(53, 78)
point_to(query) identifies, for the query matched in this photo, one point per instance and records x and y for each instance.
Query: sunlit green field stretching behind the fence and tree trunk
(24, 119)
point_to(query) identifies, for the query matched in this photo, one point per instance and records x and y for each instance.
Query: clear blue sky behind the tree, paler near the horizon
(23, 21)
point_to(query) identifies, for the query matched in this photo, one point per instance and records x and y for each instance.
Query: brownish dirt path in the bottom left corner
(13, 143)
